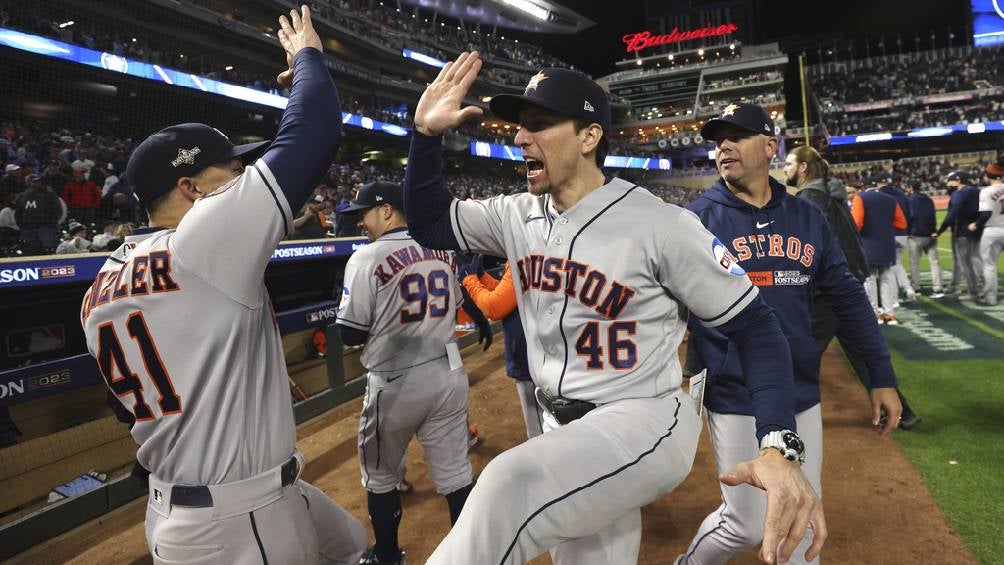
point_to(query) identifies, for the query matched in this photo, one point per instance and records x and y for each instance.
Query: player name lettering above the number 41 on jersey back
(141, 275)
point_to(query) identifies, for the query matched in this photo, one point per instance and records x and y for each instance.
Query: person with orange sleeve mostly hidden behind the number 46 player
(497, 300)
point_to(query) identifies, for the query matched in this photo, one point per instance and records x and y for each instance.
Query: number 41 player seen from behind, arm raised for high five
(181, 325)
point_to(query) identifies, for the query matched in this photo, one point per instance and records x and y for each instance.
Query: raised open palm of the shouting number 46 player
(439, 109)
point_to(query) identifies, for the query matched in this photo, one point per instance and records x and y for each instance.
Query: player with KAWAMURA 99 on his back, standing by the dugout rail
(401, 301)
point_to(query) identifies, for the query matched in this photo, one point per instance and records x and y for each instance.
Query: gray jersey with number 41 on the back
(181, 325)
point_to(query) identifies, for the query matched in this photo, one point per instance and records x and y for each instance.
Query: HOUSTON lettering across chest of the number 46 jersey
(590, 287)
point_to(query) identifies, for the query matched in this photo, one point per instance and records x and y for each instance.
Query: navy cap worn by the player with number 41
(181, 151)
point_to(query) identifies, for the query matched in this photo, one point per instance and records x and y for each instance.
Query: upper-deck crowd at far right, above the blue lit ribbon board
(906, 90)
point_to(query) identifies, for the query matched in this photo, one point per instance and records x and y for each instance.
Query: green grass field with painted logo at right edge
(949, 358)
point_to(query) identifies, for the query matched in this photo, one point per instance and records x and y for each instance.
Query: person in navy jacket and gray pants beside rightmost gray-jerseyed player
(963, 212)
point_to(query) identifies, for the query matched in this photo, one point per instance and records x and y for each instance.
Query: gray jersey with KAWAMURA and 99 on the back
(406, 298)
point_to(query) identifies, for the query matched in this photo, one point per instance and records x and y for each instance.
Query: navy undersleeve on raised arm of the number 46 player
(427, 200)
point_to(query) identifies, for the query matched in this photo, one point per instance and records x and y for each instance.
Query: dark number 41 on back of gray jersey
(121, 379)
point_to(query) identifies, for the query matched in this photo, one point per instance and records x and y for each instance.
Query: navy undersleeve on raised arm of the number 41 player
(310, 133)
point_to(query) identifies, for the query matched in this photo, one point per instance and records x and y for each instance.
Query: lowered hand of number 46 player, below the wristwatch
(793, 505)
